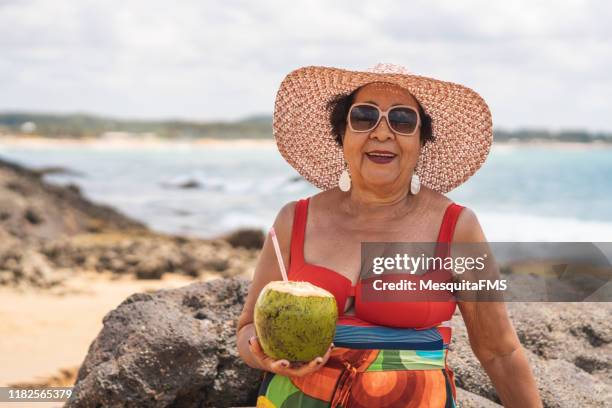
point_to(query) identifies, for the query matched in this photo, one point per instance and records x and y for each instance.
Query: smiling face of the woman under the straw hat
(369, 171)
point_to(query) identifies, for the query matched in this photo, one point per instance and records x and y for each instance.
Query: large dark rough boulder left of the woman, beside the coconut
(170, 348)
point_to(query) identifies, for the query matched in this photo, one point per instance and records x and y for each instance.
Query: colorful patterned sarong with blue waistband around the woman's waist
(371, 366)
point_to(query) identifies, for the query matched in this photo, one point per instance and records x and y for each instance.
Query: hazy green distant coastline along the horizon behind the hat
(253, 127)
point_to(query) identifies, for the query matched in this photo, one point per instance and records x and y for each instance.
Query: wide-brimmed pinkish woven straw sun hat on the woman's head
(461, 124)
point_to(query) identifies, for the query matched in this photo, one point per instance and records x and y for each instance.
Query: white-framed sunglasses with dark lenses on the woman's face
(402, 119)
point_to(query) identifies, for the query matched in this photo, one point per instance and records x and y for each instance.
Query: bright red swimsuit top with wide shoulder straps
(416, 314)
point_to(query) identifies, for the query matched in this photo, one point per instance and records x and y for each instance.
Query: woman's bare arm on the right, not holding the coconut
(492, 336)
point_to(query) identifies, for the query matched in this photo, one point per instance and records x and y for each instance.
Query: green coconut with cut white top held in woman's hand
(295, 321)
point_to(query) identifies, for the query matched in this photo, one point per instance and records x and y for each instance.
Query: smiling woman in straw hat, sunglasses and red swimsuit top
(384, 146)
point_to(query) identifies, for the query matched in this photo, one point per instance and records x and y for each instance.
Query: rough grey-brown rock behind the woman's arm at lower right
(556, 342)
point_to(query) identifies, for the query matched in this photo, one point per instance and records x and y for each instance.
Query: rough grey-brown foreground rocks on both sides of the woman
(177, 348)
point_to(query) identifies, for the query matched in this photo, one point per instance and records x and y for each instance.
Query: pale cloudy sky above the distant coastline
(538, 64)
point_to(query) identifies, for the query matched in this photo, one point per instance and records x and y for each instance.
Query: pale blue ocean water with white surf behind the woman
(530, 193)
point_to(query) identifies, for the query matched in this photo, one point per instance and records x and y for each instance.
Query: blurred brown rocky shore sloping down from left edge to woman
(48, 232)
